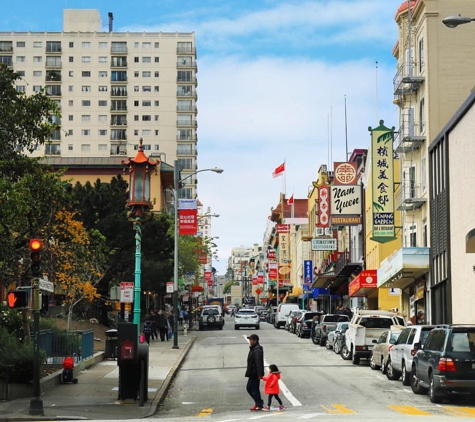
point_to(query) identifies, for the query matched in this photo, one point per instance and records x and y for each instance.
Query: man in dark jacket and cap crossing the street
(255, 371)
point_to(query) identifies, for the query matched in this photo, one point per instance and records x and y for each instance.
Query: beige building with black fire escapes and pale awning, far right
(434, 76)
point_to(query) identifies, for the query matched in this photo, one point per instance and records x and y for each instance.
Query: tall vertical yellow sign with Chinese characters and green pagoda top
(382, 175)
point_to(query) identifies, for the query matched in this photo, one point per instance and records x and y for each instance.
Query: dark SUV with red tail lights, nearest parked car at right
(446, 363)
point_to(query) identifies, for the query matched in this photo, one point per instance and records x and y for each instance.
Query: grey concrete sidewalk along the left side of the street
(95, 396)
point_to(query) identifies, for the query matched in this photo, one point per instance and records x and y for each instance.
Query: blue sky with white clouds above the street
(273, 80)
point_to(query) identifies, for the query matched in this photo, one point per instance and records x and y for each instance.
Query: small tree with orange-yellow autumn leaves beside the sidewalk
(78, 259)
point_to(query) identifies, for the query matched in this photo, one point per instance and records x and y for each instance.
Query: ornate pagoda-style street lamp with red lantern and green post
(138, 207)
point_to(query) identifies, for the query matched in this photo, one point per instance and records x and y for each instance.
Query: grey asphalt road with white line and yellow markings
(316, 384)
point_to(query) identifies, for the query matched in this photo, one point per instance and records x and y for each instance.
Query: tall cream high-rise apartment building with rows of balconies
(113, 88)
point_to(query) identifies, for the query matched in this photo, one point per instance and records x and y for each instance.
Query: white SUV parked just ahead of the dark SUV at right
(403, 351)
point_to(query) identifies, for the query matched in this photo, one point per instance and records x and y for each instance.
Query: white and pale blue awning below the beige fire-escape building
(403, 268)
